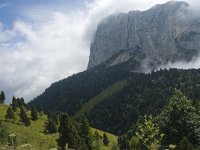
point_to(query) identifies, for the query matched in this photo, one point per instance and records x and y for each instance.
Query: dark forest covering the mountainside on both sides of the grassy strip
(144, 94)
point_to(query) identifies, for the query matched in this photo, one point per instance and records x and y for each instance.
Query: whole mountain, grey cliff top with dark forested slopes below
(115, 92)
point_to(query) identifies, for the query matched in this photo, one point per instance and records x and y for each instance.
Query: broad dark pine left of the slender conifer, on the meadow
(67, 133)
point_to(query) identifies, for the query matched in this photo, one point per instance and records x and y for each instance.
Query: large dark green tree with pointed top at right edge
(180, 119)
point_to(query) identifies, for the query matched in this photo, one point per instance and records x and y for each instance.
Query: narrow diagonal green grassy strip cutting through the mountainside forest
(88, 106)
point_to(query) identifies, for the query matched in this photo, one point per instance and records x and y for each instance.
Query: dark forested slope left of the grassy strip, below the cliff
(70, 94)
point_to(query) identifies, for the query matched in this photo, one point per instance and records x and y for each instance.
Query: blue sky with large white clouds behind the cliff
(43, 41)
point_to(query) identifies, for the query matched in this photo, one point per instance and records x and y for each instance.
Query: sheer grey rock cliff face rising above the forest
(162, 33)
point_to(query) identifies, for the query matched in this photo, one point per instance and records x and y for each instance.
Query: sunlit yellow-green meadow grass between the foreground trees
(16, 135)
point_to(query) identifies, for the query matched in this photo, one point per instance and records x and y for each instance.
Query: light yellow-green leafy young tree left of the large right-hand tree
(148, 133)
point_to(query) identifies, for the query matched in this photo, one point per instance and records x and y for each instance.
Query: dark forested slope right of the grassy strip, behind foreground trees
(144, 94)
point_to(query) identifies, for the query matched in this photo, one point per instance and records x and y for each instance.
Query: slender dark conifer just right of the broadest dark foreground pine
(85, 132)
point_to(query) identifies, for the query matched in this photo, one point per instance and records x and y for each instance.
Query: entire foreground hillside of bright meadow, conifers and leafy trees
(176, 127)
